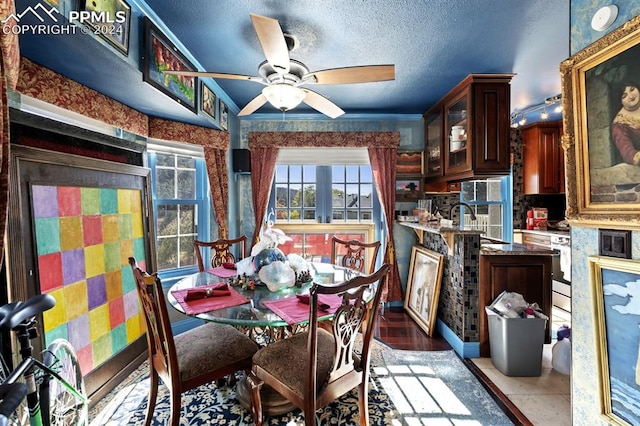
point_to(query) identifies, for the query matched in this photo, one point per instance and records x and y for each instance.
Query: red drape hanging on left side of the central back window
(263, 165)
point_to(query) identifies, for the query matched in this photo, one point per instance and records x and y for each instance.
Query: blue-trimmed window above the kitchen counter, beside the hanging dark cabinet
(491, 202)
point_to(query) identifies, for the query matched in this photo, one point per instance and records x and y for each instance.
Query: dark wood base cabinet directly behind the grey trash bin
(529, 275)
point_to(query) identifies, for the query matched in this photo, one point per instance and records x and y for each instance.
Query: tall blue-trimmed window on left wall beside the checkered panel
(181, 203)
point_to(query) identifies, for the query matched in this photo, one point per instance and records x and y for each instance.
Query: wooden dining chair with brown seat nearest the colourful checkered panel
(201, 355)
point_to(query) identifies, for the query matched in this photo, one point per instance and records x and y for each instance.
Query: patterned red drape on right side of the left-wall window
(216, 160)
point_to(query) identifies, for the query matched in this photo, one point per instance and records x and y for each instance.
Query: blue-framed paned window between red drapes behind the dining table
(324, 194)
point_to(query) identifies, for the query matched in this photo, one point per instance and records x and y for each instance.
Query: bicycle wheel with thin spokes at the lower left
(57, 402)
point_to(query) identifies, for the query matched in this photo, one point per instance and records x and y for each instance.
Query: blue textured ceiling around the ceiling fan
(433, 44)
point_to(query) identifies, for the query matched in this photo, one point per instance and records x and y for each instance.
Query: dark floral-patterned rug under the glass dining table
(209, 405)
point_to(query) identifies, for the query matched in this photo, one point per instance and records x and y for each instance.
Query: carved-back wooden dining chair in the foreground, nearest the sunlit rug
(317, 366)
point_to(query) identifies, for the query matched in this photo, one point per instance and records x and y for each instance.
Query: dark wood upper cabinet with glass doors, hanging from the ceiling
(469, 130)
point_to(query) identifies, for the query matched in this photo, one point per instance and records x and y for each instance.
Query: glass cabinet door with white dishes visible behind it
(457, 139)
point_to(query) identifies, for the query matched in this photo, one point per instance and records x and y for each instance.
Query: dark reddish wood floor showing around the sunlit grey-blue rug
(398, 330)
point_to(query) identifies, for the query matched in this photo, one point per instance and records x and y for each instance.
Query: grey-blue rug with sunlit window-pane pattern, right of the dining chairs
(436, 387)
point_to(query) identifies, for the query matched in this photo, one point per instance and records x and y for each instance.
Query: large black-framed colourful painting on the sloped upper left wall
(161, 55)
